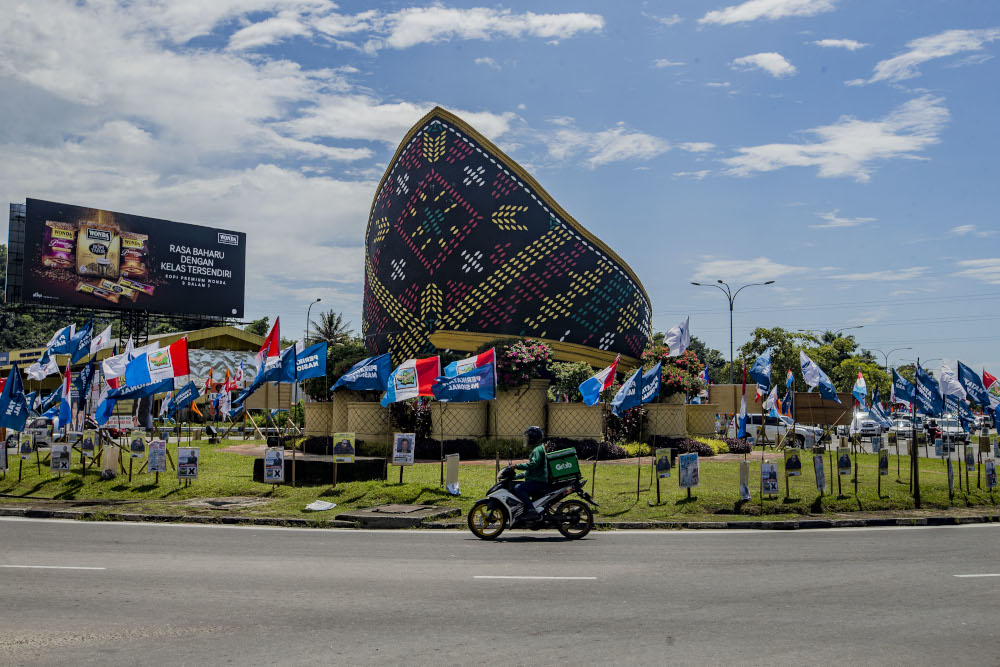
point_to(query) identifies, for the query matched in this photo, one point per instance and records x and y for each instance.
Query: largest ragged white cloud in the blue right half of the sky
(851, 147)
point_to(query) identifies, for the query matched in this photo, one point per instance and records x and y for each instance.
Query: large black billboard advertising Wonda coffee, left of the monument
(78, 256)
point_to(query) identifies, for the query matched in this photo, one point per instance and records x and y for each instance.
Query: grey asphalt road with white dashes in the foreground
(178, 594)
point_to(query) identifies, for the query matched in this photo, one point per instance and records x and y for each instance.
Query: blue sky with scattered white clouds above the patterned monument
(845, 149)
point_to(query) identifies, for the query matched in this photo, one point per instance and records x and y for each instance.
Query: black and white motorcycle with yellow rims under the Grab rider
(501, 509)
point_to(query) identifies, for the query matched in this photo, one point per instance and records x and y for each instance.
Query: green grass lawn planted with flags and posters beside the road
(226, 474)
